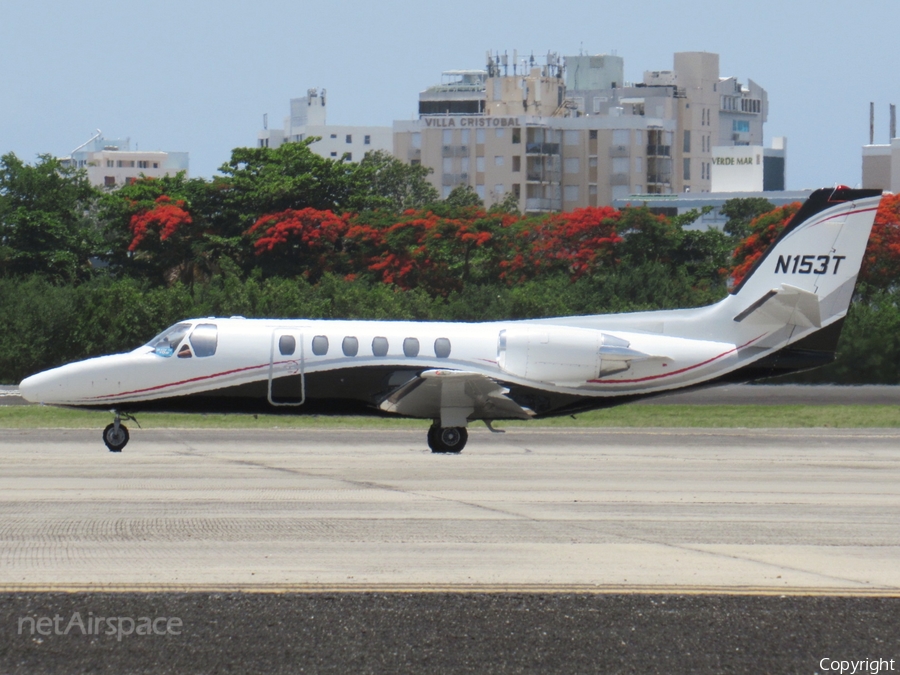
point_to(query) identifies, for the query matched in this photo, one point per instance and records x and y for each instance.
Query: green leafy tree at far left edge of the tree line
(46, 224)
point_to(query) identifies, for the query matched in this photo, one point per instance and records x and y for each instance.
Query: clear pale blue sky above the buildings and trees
(198, 75)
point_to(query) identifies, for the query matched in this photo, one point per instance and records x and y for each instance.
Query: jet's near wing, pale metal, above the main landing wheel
(452, 396)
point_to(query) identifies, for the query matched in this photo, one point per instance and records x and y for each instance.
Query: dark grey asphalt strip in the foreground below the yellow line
(454, 633)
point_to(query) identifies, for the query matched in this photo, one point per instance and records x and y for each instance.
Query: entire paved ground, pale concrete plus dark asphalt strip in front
(539, 550)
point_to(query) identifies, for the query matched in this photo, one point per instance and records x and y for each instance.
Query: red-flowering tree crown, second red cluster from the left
(301, 241)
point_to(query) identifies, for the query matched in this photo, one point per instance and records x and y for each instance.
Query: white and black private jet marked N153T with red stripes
(786, 315)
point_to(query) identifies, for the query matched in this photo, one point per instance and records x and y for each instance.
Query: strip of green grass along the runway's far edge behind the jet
(714, 416)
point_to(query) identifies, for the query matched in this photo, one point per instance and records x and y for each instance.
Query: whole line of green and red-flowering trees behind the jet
(283, 232)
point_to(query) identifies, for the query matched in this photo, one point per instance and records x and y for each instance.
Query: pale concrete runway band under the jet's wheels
(612, 508)
